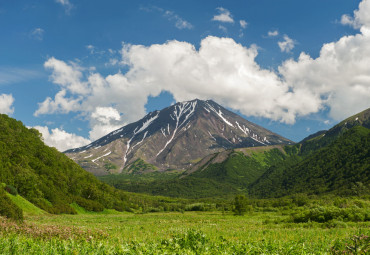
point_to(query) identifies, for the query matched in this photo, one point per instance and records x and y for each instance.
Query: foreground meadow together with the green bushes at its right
(291, 225)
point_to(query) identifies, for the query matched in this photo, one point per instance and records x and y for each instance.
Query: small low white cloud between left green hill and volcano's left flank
(60, 139)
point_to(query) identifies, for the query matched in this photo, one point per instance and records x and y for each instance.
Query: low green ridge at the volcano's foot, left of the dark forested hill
(219, 174)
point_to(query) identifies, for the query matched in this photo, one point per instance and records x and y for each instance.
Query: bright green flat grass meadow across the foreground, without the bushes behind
(111, 232)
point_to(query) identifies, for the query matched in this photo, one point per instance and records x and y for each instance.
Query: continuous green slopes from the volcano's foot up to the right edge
(334, 161)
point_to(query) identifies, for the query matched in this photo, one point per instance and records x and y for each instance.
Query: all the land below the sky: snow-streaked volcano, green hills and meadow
(233, 200)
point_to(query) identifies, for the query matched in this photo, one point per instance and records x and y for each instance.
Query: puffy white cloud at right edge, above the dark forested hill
(339, 77)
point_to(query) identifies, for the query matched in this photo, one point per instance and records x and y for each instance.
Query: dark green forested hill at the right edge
(342, 167)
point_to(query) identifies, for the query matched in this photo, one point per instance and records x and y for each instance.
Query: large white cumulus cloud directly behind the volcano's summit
(221, 69)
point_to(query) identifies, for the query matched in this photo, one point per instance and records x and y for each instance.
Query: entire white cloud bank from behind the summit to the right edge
(222, 70)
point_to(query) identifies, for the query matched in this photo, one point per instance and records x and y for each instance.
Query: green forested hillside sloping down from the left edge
(48, 178)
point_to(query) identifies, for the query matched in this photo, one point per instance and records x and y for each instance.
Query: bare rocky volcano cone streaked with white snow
(176, 137)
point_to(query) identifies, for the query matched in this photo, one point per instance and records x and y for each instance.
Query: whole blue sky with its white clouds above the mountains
(79, 69)
